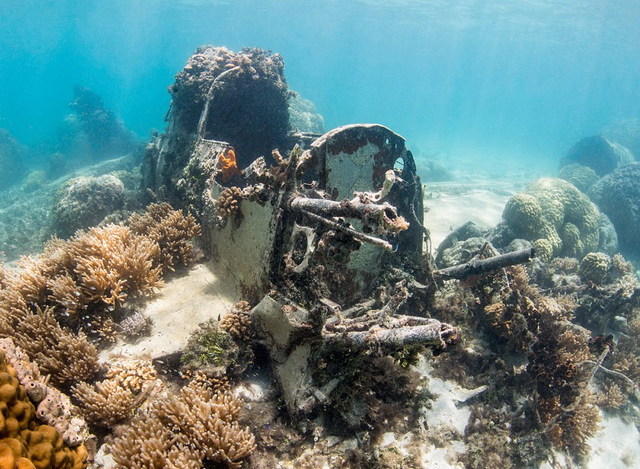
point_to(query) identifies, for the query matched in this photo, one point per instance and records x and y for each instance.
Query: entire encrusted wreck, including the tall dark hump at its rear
(327, 239)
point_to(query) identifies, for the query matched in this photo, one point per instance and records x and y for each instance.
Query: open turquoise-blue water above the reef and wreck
(466, 79)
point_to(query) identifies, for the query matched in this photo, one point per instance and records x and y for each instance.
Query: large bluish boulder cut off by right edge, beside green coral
(618, 196)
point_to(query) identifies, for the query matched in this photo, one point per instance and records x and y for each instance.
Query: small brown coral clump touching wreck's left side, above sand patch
(171, 230)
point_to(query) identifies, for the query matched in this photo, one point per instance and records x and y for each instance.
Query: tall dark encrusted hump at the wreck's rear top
(249, 99)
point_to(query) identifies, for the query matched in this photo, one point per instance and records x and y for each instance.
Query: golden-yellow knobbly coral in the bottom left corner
(24, 443)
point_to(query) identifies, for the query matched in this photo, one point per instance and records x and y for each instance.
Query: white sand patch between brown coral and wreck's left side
(182, 304)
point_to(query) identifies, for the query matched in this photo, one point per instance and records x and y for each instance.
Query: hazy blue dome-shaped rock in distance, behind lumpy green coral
(598, 153)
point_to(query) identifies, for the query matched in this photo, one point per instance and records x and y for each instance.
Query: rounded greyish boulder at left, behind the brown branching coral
(85, 201)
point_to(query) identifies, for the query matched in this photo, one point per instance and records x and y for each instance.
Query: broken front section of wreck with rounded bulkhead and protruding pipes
(329, 244)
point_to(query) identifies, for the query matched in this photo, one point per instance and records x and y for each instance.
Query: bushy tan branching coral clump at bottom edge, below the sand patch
(197, 424)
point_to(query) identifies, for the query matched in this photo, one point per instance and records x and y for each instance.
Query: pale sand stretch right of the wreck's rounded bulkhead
(449, 205)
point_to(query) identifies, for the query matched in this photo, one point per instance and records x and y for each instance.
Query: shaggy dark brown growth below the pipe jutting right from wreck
(512, 315)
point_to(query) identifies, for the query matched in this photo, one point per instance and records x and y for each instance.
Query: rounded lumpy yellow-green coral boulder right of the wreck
(558, 218)
